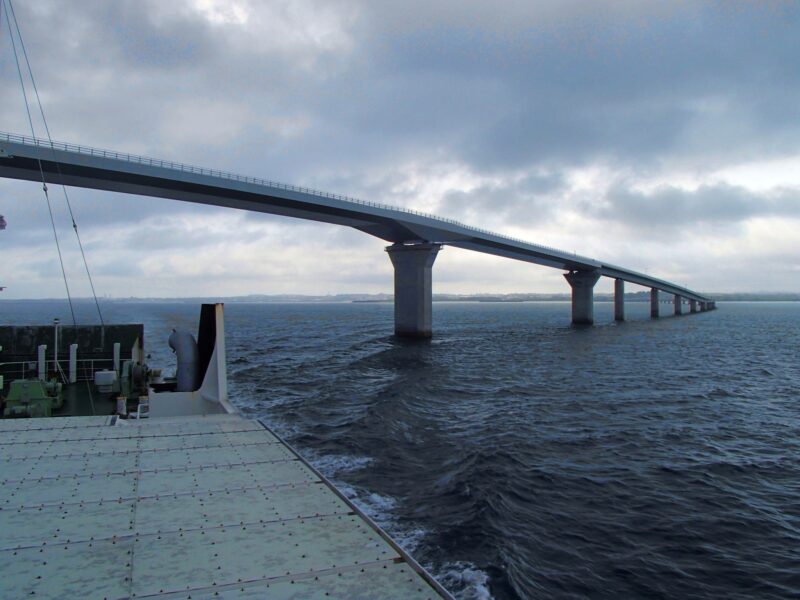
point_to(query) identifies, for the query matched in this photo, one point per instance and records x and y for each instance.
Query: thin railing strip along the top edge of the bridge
(155, 162)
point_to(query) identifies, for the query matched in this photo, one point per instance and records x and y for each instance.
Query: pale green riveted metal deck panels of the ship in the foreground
(200, 507)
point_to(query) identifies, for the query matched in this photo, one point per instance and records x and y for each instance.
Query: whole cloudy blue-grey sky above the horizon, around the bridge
(660, 136)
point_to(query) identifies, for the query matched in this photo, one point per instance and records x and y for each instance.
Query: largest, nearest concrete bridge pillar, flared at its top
(413, 290)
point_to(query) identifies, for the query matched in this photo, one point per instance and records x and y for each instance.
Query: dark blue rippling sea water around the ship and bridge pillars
(519, 457)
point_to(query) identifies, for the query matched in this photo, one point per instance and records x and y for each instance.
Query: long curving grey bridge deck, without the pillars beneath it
(28, 158)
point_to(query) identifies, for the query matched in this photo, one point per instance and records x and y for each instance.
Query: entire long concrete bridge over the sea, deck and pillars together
(415, 237)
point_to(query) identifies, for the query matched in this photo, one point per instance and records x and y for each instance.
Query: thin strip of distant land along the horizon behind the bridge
(643, 296)
